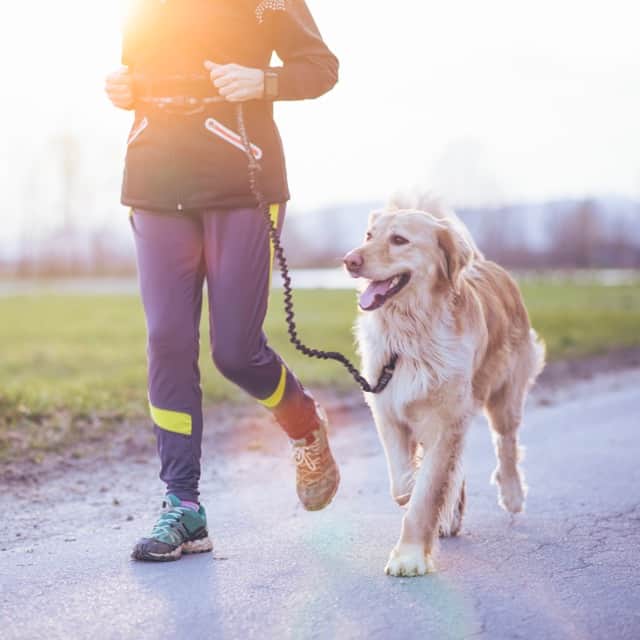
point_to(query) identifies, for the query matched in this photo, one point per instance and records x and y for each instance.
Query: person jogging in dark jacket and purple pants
(186, 65)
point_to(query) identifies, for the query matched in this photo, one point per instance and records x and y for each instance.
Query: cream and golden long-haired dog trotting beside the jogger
(464, 343)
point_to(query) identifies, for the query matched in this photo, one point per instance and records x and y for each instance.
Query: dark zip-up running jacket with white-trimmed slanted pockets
(180, 162)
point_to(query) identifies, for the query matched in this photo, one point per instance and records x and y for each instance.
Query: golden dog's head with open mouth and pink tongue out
(407, 251)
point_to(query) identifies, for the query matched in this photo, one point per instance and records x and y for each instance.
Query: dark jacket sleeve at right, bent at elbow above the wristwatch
(309, 68)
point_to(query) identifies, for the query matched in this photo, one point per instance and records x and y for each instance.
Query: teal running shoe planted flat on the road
(178, 530)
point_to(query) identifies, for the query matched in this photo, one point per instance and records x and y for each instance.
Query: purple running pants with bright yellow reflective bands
(232, 251)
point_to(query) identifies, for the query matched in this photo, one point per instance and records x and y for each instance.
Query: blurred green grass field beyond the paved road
(76, 364)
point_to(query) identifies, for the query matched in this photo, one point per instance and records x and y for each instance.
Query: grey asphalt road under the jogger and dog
(567, 568)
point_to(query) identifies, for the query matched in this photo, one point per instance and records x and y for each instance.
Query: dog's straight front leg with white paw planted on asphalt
(435, 485)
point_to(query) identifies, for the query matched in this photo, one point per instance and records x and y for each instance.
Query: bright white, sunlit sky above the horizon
(486, 101)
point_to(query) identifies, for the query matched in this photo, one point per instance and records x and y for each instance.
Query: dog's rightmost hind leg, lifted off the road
(504, 411)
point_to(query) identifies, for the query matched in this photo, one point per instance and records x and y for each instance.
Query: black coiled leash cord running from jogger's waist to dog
(254, 167)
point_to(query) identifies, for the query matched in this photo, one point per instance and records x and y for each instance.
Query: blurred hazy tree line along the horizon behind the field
(578, 237)
